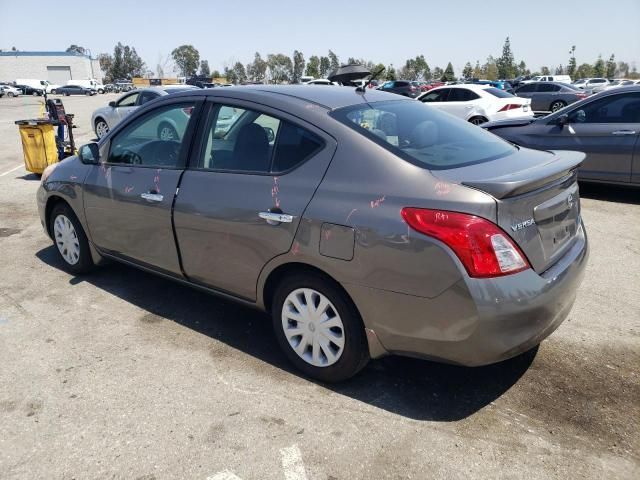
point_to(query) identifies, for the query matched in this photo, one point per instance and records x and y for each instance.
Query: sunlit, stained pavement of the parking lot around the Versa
(121, 374)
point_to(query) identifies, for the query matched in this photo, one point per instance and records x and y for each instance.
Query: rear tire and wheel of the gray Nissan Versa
(320, 357)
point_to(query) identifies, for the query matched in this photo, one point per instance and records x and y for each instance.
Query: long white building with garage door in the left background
(57, 67)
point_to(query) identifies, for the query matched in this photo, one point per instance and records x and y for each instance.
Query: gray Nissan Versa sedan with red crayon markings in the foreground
(365, 223)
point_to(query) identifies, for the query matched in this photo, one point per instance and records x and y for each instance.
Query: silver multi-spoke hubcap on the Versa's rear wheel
(313, 327)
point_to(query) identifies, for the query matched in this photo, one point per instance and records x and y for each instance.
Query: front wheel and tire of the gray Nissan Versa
(70, 240)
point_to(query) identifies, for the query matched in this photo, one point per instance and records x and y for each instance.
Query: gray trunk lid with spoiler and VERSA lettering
(537, 199)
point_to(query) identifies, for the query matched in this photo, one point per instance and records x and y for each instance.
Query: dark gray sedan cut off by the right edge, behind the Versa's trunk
(605, 127)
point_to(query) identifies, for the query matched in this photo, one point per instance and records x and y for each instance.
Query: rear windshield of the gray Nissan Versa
(423, 135)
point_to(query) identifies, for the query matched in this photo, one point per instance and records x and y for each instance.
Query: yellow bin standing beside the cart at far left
(38, 144)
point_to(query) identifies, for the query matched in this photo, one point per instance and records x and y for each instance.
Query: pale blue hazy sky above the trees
(541, 31)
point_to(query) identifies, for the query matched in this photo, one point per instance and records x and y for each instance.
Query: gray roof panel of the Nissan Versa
(330, 97)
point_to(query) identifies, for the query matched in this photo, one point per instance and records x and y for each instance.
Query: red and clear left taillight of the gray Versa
(484, 249)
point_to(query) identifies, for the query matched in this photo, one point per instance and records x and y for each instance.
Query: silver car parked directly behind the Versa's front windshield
(105, 118)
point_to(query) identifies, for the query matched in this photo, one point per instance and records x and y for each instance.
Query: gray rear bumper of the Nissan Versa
(477, 321)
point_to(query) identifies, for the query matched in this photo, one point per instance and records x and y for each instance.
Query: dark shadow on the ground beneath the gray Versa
(417, 389)
